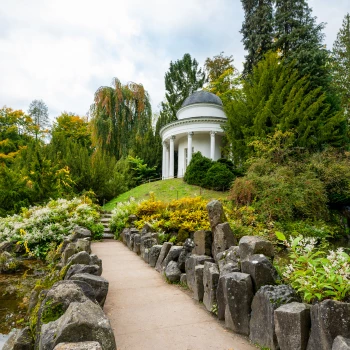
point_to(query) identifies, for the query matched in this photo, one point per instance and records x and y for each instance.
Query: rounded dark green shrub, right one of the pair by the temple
(219, 177)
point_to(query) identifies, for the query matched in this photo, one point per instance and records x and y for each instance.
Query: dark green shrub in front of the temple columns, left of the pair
(197, 169)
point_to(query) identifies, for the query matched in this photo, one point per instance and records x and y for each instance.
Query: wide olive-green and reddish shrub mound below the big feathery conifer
(284, 193)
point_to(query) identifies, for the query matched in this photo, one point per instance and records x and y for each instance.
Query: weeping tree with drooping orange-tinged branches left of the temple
(121, 116)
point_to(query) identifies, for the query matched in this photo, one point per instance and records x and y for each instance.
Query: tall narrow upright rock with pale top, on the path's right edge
(238, 296)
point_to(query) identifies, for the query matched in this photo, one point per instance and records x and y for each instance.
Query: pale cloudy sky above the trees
(62, 51)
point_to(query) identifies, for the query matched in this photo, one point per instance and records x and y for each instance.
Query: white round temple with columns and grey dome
(198, 129)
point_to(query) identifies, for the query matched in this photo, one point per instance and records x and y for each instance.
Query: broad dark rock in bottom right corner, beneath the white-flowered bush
(329, 319)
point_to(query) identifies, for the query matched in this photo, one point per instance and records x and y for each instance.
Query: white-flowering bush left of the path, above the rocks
(35, 228)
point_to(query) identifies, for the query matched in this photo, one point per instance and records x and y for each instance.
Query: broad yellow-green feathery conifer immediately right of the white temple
(275, 98)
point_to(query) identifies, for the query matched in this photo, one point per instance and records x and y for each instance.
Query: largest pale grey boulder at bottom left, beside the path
(81, 322)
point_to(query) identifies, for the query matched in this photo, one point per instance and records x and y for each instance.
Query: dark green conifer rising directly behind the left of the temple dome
(183, 78)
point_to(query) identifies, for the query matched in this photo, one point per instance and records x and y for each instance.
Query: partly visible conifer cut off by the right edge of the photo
(341, 64)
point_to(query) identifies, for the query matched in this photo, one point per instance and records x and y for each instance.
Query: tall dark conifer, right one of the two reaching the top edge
(299, 38)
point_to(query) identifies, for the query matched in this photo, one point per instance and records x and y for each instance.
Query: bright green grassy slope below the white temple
(165, 190)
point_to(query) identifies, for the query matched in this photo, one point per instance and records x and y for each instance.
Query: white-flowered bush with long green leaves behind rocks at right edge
(315, 273)
